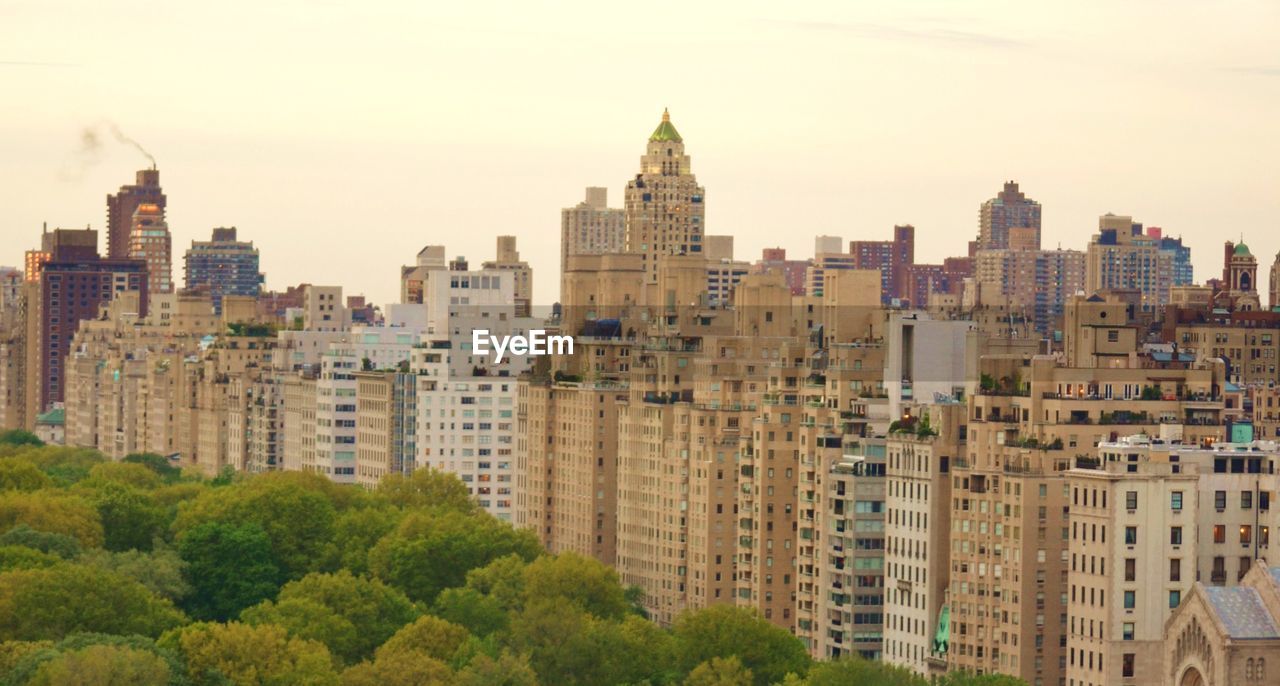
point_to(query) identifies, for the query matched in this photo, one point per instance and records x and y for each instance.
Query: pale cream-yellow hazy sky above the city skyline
(344, 136)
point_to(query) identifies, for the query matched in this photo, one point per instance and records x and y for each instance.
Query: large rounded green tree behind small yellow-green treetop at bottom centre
(720, 632)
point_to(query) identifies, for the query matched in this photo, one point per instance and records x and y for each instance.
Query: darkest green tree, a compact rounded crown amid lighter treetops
(230, 568)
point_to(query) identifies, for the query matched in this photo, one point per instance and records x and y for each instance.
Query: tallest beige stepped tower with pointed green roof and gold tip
(665, 209)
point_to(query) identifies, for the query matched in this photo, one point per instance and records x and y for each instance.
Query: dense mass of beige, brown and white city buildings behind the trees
(911, 464)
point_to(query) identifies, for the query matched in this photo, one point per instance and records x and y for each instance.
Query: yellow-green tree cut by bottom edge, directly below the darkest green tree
(250, 656)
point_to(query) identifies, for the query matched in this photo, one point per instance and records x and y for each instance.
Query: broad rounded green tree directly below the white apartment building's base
(432, 552)
